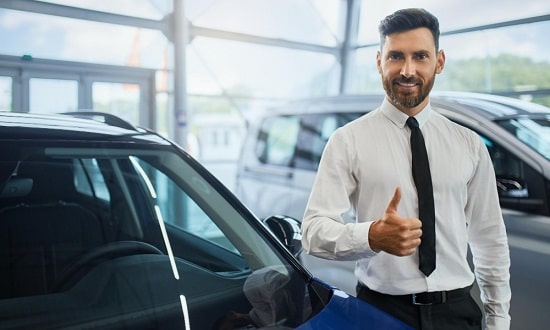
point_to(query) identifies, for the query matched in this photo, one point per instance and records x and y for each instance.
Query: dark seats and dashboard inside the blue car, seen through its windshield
(59, 245)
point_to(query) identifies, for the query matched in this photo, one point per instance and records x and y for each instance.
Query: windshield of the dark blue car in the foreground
(130, 237)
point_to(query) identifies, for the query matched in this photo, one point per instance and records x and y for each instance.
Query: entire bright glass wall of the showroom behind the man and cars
(259, 53)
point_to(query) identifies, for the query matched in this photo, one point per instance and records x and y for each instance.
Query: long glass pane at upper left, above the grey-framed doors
(61, 38)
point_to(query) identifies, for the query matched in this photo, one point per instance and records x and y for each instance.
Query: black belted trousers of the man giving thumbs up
(458, 310)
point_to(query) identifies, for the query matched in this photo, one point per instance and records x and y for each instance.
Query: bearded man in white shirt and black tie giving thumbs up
(366, 167)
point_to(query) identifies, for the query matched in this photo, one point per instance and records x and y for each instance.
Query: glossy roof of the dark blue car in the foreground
(70, 126)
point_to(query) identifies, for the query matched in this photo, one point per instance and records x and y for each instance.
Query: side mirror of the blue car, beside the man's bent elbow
(288, 231)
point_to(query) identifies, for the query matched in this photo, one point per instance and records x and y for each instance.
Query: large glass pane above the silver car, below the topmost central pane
(259, 71)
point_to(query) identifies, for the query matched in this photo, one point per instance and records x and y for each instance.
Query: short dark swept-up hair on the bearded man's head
(409, 19)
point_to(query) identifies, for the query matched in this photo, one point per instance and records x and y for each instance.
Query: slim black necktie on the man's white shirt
(423, 181)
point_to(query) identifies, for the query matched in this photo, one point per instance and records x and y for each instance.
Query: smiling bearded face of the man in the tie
(408, 63)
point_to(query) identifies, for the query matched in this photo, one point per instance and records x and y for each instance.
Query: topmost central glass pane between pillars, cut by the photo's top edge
(310, 21)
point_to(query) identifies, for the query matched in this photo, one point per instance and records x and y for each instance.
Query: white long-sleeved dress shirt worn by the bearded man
(365, 160)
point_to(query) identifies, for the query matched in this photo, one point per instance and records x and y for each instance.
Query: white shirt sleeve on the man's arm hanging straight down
(489, 243)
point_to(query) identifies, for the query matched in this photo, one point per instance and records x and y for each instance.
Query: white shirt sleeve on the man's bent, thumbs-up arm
(325, 233)
